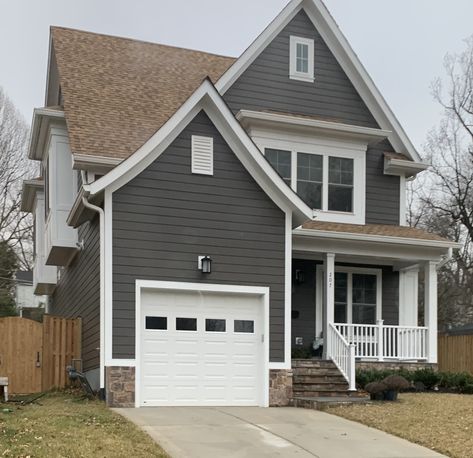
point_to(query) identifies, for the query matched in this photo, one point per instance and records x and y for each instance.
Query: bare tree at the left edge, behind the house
(15, 226)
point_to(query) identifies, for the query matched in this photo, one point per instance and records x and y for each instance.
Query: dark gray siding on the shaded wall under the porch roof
(303, 298)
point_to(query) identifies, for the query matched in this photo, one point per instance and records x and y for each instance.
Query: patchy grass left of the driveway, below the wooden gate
(65, 425)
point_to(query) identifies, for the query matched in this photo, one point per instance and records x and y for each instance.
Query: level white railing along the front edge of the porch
(385, 342)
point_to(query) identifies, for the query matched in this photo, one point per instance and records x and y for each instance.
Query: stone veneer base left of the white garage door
(120, 386)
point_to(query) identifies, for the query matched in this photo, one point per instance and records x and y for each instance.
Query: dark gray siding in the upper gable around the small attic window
(265, 85)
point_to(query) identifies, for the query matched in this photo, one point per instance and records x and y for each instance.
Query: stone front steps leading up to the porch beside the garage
(317, 384)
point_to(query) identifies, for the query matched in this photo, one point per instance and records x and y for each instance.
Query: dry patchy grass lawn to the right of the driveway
(441, 422)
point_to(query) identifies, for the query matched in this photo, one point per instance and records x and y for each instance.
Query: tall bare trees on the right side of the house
(443, 200)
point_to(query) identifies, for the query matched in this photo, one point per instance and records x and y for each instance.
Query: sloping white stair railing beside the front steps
(342, 354)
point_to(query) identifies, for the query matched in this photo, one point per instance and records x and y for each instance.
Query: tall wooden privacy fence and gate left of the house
(34, 355)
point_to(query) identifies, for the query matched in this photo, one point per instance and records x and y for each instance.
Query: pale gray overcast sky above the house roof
(401, 42)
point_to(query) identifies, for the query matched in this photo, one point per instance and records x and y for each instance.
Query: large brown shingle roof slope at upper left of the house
(118, 92)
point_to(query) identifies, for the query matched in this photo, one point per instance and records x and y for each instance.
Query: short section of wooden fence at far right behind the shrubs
(455, 353)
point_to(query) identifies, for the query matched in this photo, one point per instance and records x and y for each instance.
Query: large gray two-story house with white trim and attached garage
(206, 215)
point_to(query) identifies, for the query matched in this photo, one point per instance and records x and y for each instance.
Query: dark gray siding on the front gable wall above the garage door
(164, 218)
